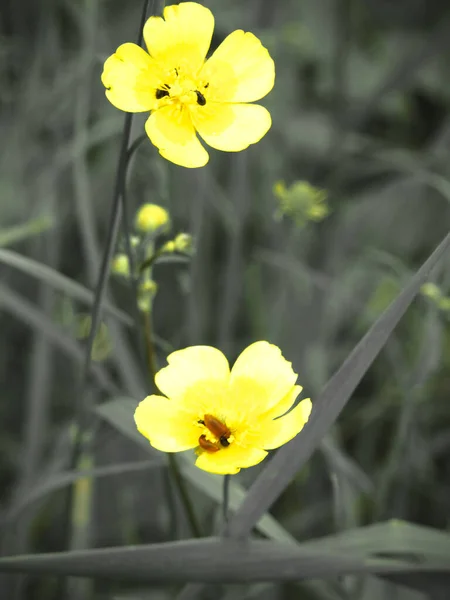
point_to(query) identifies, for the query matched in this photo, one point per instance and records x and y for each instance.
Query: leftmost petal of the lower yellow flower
(167, 426)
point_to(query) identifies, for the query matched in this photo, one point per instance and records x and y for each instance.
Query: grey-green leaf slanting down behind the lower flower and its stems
(119, 413)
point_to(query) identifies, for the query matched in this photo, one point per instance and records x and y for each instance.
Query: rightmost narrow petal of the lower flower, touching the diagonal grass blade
(276, 433)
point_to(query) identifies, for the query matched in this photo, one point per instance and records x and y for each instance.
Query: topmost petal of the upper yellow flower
(183, 37)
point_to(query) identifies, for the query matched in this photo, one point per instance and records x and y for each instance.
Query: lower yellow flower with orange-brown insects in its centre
(231, 418)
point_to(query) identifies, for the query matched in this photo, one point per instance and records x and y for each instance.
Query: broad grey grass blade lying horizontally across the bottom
(210, 560)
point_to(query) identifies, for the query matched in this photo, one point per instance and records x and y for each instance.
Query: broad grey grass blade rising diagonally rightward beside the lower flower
(326, 409)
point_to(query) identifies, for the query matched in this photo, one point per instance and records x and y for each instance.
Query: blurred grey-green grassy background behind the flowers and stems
(302, 240)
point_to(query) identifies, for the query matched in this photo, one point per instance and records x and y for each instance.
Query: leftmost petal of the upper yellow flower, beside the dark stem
(131, 79)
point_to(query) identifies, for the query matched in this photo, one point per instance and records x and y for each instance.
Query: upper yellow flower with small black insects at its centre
(185, 92)
